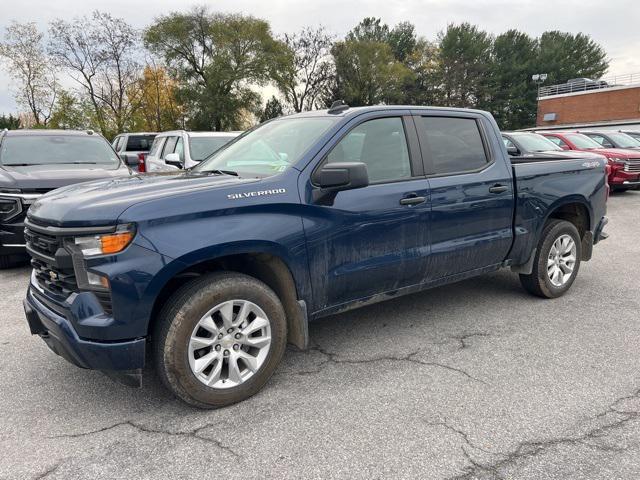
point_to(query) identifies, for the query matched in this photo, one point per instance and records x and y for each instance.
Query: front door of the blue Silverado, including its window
(374, 239)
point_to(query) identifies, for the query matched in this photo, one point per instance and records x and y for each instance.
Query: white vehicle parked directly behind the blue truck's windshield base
(180, 149)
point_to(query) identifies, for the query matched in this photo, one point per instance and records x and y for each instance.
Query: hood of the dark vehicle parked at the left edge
(43, 178)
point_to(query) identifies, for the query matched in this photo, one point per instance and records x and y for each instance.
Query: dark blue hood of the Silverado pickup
(102, 202)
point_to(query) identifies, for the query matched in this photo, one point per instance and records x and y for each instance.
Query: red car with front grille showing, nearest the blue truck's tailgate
(624, 164)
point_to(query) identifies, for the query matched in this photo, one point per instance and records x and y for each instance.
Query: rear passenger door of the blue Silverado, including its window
(472, 193)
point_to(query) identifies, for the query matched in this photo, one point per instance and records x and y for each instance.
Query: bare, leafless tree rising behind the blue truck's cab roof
(310, 72)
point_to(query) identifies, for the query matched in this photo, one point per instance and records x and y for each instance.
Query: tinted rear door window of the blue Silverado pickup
(453, 144)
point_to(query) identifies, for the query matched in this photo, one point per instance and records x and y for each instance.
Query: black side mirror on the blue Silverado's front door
(336, 177)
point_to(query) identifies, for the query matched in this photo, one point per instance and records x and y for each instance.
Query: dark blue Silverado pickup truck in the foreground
(213, 270)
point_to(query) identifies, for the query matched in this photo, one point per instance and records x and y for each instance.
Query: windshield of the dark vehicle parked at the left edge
(57, 150)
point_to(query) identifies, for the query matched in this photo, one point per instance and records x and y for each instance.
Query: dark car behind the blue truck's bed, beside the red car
(526, 144)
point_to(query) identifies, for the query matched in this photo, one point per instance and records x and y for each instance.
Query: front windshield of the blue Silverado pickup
(271, 148)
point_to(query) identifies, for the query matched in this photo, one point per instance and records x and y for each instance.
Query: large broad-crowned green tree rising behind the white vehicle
(217, 57)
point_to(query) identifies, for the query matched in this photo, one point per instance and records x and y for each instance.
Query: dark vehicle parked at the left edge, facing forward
(34, 162)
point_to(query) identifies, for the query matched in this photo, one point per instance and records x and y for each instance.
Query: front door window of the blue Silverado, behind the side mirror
(381, 144)
